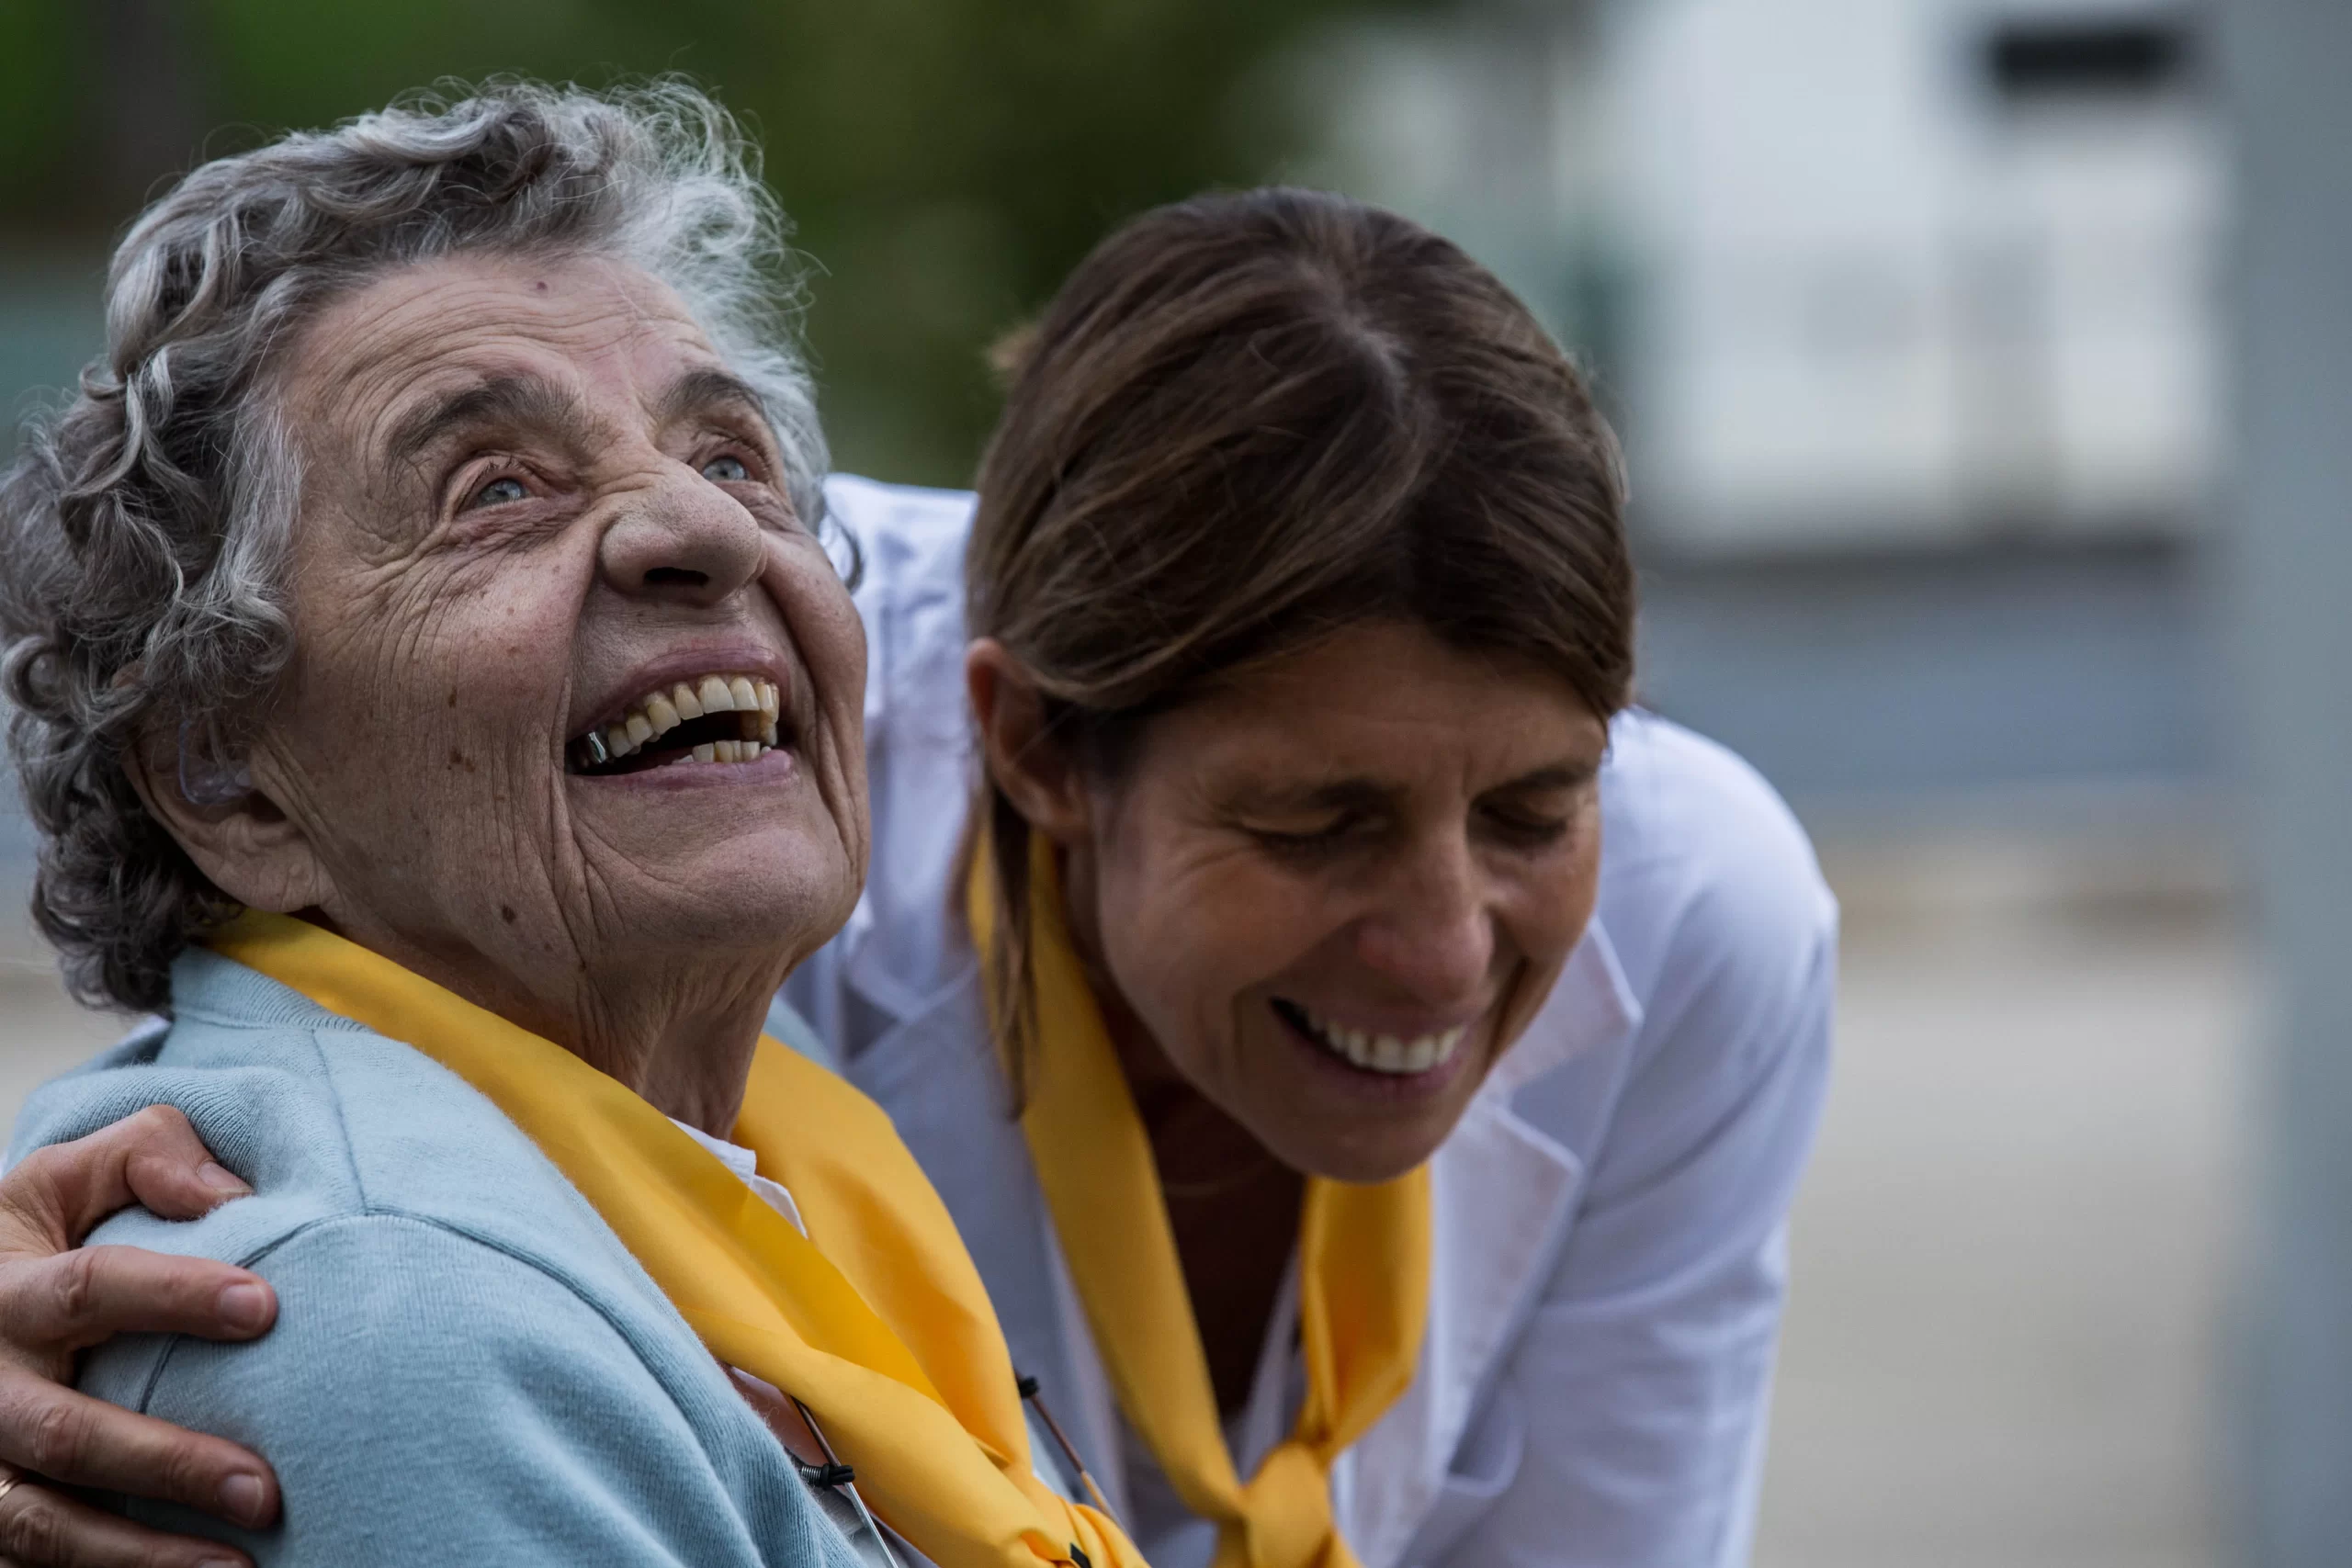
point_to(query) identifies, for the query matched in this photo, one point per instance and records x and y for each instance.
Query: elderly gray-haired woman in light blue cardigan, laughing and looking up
(439, 704)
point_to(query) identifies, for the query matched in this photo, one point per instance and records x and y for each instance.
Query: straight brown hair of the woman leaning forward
(1250, 422)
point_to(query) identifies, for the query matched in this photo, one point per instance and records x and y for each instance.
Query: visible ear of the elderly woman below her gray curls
(236, 833)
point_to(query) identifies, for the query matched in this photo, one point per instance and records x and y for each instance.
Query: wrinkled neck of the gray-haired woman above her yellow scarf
(679, 1033)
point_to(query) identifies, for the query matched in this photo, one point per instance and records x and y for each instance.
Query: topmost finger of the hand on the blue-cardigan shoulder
(152, 1158)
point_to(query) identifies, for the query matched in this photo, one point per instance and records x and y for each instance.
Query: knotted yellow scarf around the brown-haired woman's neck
(1363, 1273)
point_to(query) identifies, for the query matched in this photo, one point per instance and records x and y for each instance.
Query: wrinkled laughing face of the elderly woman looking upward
(577, 697)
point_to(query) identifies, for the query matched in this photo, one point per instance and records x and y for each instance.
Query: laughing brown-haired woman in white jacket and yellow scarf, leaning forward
(1368, 1061)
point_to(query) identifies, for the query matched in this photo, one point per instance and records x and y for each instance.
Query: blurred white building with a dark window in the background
(1864, 272)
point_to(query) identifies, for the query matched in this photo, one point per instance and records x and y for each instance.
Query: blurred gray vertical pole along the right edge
(2292, 540)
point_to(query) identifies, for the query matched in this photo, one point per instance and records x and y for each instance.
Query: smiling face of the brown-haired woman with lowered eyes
(1337, 892)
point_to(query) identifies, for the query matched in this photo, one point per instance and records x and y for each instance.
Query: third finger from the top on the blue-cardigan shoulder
(88, 1442)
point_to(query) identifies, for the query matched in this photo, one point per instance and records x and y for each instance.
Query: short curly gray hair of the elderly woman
(145, 523)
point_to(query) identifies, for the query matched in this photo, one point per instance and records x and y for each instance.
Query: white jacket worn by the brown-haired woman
(1610, 1214)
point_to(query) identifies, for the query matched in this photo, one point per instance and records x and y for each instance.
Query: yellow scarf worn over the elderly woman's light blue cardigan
(886, 1334)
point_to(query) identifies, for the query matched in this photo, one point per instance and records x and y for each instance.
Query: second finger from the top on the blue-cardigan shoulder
(93, 1294)
